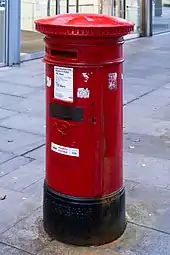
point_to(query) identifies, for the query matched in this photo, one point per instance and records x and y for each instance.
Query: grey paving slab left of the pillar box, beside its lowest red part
(24, 176)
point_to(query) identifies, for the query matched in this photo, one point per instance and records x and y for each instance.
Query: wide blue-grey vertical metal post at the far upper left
(13, 30)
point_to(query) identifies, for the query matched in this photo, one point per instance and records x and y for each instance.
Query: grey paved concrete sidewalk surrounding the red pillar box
(146, 156)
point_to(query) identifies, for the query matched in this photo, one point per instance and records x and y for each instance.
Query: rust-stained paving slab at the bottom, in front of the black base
(135, 241)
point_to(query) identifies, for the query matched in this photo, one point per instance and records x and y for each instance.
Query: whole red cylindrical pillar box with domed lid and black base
(84, 196)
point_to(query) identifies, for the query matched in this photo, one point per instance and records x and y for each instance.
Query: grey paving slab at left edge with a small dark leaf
(15, 207)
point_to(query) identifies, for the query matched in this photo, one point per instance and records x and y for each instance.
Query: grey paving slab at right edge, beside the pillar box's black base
(149, 206)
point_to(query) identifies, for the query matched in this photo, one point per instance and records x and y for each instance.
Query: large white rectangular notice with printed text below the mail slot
(63, 83)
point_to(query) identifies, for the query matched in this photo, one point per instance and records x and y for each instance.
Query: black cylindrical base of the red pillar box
(83, 221)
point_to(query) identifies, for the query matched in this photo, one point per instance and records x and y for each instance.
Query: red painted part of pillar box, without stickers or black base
(96, 57)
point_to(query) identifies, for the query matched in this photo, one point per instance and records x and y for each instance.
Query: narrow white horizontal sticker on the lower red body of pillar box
(74, 152)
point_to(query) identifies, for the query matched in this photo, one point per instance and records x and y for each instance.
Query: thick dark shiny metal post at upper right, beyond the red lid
(146, 18)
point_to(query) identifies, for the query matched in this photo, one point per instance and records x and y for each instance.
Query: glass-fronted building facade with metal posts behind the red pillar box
(19, 41)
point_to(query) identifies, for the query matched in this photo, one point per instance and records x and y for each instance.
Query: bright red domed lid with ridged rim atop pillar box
(82, 24)
